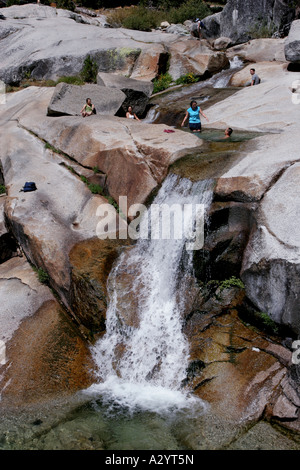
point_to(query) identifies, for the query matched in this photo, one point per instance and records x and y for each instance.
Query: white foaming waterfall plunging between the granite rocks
(144, 363)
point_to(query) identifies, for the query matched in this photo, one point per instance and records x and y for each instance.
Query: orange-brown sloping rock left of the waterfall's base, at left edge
(47, 358)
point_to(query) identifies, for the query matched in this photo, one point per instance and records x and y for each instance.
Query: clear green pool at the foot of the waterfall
(84, 424)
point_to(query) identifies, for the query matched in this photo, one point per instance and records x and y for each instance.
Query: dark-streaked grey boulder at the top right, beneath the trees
(241, 20)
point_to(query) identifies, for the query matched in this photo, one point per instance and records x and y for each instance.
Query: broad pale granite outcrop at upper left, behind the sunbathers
(47, 43)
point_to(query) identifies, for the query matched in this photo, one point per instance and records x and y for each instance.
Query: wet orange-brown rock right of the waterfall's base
(236, 367)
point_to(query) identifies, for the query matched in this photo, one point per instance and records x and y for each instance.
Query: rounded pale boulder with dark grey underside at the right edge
(271, 265)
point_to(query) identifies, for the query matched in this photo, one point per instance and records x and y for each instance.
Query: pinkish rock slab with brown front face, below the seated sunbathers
(135, 156)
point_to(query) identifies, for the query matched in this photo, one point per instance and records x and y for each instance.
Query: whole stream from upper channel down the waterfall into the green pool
(139, 400)
